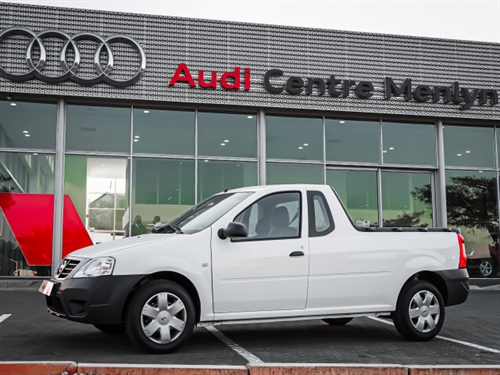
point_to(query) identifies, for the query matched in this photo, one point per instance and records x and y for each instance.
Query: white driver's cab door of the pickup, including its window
(267, 270)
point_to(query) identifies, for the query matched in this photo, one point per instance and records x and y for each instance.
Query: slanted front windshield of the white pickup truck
(207, 212)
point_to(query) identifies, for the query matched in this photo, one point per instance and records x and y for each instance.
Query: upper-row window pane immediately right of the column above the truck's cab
(294, 138)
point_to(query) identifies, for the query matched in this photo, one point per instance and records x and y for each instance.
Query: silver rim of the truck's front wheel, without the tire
(163, 318)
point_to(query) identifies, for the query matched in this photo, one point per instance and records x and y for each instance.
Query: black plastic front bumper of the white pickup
(95, 300)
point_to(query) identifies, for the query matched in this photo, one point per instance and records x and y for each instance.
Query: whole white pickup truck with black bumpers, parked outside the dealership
(262, 254)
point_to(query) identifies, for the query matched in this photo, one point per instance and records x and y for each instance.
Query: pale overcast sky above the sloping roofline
(477, 20)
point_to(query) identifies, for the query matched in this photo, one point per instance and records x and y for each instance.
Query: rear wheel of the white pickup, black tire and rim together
(419, 314)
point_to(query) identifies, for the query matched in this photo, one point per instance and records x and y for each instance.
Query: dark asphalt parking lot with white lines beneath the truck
(470, 336)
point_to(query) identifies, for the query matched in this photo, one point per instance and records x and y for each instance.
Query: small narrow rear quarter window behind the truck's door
(320, 217)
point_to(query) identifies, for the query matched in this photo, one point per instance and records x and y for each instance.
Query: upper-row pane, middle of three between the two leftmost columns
(163, 132)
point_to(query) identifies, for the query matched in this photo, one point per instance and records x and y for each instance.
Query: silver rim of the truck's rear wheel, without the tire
(424, 311)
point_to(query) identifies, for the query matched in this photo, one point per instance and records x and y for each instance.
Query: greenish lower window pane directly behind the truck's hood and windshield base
(162, 189)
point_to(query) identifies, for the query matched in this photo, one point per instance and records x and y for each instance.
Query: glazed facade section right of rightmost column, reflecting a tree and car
(472, 191)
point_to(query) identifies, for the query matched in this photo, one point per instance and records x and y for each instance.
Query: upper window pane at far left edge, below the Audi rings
(28, 125)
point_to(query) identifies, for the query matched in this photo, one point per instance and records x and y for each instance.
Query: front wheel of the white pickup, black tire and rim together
(149, 323)
